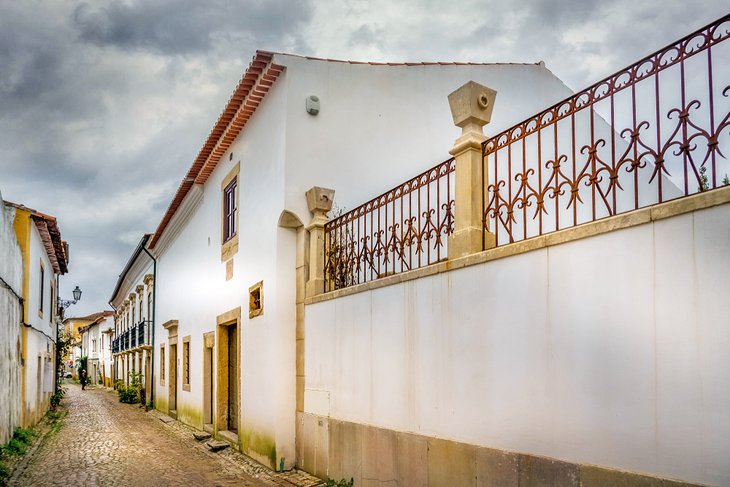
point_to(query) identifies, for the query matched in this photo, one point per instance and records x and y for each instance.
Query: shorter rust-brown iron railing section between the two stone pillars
(402, 229)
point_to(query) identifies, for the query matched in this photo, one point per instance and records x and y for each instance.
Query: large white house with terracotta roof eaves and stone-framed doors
(229, 336)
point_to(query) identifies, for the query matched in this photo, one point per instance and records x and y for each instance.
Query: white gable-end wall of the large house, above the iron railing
(381, 125)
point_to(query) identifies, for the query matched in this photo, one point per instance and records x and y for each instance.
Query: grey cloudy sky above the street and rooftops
(105, 104)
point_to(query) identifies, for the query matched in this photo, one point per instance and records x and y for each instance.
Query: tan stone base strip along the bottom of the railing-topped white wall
(330, 448)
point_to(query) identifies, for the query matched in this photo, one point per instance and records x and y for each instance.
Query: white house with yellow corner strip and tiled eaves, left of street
(44, 259)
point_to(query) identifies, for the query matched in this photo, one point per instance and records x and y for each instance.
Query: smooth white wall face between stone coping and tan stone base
(610, 350)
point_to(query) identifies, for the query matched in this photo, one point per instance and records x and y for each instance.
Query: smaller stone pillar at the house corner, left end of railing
(319, 201)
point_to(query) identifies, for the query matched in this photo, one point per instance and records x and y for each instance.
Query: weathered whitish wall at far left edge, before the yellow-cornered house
(11, 271)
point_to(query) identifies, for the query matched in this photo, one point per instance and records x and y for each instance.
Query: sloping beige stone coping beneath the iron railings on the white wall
(680, 206)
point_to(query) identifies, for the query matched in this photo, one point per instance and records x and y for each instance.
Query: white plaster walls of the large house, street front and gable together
(378, 126)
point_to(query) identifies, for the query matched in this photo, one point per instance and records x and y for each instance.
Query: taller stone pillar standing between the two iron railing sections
(471, 108)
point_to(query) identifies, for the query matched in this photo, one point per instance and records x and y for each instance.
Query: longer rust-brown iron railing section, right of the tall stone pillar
(654, 131)
